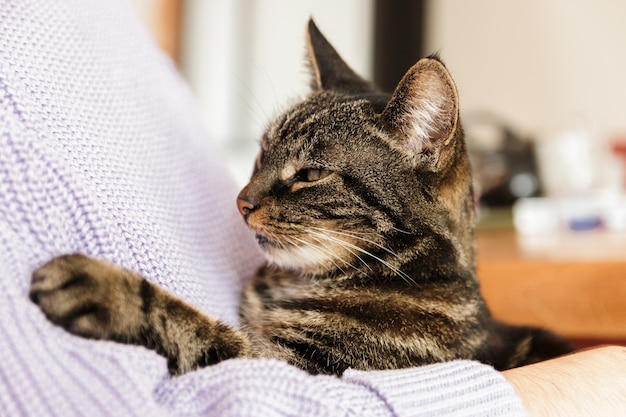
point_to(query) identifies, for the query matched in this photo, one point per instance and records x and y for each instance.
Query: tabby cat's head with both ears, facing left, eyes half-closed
(352, 178)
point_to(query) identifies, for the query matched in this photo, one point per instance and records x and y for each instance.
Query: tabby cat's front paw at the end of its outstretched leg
(88, 297)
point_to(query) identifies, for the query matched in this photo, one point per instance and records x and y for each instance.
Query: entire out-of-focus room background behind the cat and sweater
(542, 87)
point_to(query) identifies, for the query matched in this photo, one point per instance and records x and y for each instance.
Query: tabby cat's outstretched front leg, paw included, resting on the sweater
(96, 299)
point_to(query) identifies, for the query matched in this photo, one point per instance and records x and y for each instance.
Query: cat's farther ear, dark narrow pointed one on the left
(328, 69)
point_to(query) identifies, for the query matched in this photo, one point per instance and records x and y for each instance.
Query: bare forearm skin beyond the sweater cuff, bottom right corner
(587, 383)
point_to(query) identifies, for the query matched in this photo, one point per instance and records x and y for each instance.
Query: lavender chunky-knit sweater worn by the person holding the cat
(102, 152)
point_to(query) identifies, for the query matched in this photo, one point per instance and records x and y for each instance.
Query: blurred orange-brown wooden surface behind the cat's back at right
(578, 297)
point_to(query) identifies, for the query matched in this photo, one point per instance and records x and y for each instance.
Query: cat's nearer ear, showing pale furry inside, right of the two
(423, 113)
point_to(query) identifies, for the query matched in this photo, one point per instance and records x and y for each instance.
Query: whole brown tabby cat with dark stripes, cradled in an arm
(363, 204)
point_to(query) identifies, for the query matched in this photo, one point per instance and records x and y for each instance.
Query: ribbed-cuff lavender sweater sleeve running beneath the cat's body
(270, 388)
